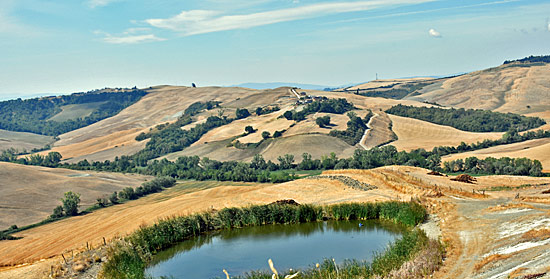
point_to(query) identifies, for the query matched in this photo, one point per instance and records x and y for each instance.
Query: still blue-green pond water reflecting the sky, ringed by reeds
(289, 246)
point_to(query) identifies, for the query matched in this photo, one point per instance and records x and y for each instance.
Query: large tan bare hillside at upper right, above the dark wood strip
(507, 88)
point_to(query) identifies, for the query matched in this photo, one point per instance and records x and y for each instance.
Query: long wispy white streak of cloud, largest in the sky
(205, 21)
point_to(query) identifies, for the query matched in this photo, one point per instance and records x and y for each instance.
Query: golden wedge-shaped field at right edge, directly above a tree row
(538, 149)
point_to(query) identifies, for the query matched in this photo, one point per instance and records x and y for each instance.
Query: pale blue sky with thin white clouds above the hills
(64, 46)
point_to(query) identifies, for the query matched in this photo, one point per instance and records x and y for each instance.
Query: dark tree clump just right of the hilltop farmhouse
(337, 106)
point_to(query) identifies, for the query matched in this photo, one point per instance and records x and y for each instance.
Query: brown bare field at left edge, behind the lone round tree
(28, 194)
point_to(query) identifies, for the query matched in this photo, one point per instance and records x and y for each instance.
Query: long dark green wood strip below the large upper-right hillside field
(473, 120)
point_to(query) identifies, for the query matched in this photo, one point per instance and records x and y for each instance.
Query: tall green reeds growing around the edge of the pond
(129, 257)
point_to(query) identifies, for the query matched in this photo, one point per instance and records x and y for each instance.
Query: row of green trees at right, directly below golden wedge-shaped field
(501, 166)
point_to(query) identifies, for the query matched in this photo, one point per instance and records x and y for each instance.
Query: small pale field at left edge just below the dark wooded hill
(22, 141)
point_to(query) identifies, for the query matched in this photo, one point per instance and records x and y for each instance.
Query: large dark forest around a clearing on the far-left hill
(32, 115)
